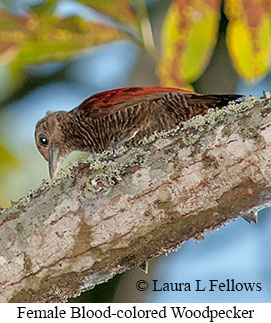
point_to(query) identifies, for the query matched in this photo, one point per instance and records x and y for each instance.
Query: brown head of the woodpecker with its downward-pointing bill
(51, 139)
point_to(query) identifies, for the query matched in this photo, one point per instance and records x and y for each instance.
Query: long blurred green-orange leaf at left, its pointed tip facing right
(46, 38)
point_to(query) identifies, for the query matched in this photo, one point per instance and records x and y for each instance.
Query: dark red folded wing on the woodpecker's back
(107, 102)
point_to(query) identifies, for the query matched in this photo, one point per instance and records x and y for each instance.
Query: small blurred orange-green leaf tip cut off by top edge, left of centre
(120, 10)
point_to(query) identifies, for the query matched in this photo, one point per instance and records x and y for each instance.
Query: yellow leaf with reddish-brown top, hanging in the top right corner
(249, 37)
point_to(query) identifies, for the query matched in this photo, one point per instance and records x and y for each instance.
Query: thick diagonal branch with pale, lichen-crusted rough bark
(102, 217)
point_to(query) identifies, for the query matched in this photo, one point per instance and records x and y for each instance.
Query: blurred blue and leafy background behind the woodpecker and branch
(34, 81)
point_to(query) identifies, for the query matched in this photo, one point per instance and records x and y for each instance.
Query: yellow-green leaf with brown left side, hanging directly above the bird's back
(189, 35)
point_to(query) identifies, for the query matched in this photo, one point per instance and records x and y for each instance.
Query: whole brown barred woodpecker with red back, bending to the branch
(119, 116)
